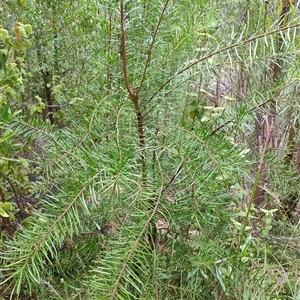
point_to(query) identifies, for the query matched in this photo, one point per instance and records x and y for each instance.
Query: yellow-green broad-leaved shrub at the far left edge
(13, 168)
